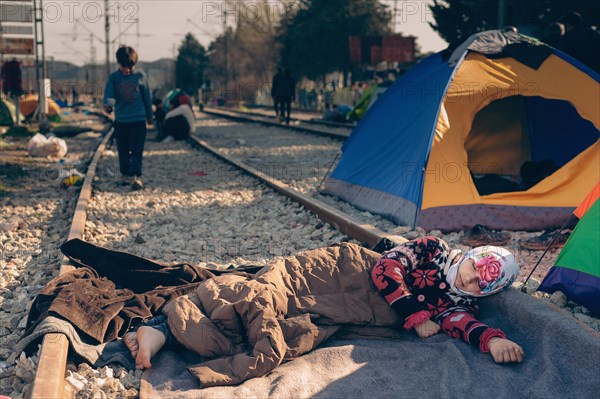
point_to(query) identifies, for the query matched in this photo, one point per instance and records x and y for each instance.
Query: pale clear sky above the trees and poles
(163, 23)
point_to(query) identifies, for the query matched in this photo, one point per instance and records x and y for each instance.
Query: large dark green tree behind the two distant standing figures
(314, 41)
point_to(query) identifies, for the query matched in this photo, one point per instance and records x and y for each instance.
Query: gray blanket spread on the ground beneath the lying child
(561, 361)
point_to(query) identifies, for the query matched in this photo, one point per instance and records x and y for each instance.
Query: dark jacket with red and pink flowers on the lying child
(411, 279)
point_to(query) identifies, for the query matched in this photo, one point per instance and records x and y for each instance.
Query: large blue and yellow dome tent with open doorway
(413, 155)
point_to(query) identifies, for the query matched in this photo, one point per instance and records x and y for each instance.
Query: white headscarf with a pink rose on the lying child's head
(496, 267)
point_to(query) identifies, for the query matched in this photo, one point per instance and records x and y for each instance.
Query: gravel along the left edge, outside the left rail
(35, 220)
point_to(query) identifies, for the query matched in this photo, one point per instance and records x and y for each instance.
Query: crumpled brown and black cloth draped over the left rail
(112, 291)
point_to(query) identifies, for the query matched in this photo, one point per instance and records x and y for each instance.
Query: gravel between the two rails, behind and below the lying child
(194, 209)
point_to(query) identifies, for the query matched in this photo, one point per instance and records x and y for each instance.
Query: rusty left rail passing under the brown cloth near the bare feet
(50, 375)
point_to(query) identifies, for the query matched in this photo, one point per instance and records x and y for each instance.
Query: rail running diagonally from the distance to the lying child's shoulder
(346, 224)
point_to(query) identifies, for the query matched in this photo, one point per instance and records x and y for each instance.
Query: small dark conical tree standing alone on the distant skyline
(190, 65)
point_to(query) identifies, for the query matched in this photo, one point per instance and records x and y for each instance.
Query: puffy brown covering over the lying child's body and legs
(249, 326)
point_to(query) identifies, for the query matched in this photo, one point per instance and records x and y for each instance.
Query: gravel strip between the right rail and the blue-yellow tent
(303, 160)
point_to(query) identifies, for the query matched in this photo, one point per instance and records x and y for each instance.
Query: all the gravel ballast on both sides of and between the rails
(195, 209)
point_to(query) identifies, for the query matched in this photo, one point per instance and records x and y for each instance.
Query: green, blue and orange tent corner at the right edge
(577, 269)
